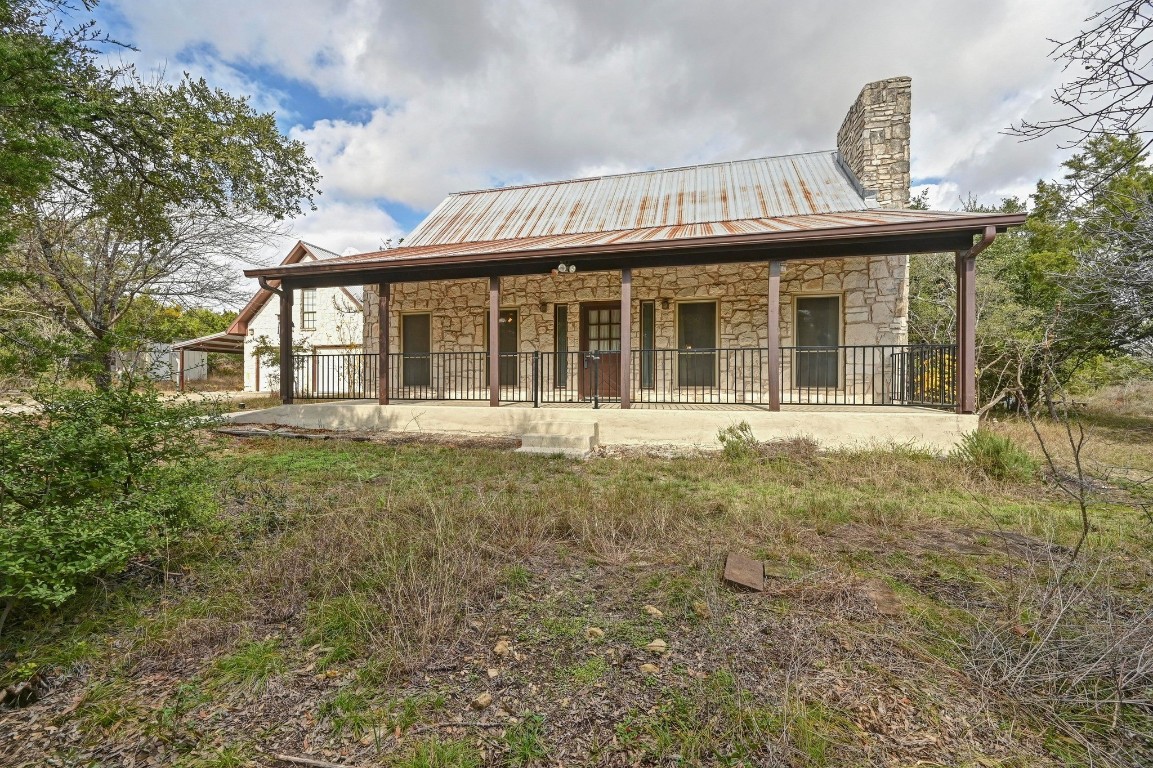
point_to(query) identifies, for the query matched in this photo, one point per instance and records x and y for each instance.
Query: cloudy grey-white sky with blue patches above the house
(402, 103)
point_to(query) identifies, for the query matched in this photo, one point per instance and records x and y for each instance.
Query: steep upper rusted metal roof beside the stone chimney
(658, 202)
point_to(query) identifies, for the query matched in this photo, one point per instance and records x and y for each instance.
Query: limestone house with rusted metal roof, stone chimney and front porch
(772, 284)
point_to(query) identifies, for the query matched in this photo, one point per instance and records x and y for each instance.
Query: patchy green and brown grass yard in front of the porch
(351, 597)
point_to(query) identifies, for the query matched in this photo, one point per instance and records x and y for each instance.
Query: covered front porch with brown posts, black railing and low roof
(614, 352)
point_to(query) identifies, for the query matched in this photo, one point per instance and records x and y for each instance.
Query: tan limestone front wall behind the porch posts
(872, 299)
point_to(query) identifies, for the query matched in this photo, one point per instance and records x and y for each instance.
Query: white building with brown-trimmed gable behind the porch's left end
(329, 328)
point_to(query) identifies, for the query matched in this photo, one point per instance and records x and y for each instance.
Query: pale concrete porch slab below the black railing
(833, 427)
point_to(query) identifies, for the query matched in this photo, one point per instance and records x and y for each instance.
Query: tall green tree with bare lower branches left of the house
(139, 187)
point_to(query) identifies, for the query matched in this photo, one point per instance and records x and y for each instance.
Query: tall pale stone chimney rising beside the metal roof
(875, 140)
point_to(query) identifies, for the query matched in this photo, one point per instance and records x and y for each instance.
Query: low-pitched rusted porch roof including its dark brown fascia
(872, 232)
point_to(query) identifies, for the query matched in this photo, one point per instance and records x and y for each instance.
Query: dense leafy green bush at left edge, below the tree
(88, 481)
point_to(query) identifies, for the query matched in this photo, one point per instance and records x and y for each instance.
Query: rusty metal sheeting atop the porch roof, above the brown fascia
(781, 225)
